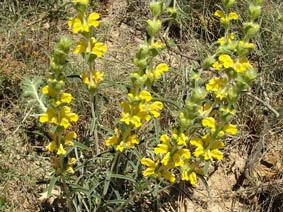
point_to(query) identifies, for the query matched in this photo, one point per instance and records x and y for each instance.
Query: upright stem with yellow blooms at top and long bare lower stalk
(90, 50)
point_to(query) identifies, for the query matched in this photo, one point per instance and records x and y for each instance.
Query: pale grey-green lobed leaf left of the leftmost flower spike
(31, 89)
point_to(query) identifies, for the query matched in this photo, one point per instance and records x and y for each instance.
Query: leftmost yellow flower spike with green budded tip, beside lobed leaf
(58, 113)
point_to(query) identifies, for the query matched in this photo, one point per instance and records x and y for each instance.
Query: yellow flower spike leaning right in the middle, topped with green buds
(139, 107)
